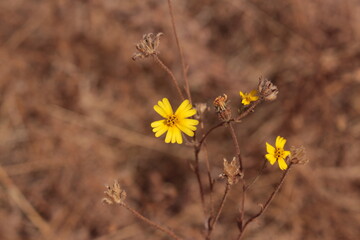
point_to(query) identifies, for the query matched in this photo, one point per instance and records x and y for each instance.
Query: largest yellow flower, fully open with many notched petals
(174, 123)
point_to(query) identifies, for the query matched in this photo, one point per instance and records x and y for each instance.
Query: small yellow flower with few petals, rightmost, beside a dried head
(277, 153)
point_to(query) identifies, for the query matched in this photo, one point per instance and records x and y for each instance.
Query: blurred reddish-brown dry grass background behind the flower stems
(75, 113)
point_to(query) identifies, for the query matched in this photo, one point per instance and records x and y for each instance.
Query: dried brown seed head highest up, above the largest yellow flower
(148, 46)
